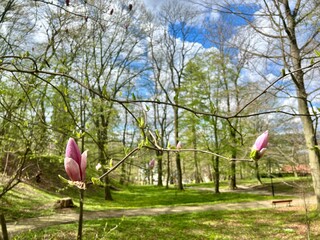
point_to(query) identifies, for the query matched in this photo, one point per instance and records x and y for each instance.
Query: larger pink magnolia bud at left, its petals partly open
(75, 163)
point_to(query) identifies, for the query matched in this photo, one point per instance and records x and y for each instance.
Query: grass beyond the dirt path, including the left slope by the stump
(25, 201)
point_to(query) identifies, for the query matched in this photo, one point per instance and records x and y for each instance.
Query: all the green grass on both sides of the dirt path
(25, 201)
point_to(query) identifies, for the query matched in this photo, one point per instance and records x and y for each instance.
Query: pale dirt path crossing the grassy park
(42, 222)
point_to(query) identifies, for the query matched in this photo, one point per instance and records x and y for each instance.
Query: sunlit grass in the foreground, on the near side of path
(273, 224)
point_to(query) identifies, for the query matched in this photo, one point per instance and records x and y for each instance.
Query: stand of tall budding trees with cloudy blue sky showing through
(116, 75)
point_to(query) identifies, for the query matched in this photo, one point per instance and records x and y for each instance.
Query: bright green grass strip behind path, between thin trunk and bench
(152, 196)
